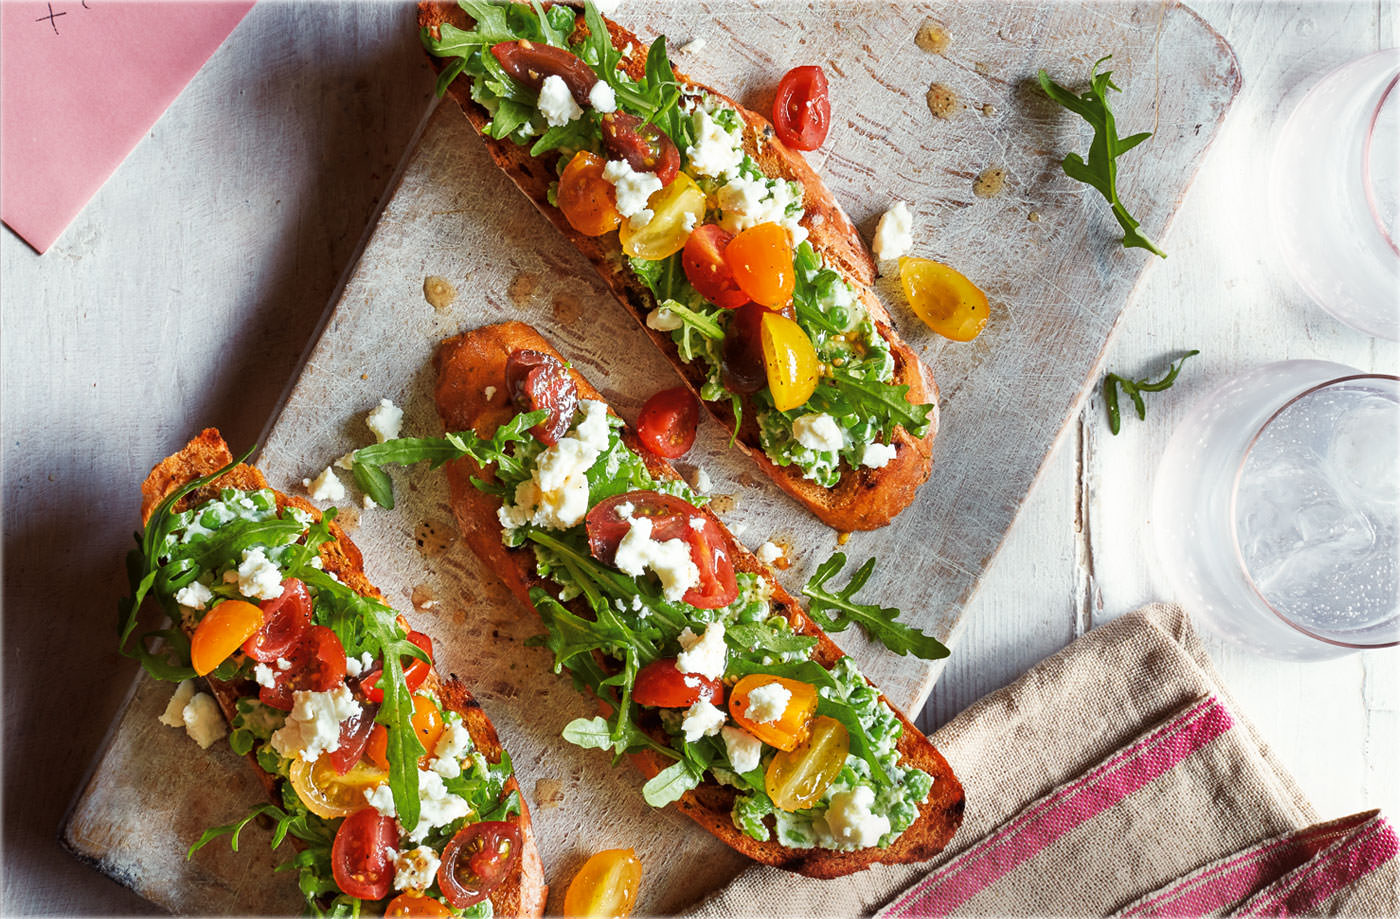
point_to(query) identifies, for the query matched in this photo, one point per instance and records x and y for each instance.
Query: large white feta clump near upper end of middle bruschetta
(556, 495)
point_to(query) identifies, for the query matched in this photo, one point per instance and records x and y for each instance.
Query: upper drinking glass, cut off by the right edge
(1335, 194)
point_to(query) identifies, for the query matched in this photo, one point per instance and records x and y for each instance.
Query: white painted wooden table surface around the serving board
(185, 293)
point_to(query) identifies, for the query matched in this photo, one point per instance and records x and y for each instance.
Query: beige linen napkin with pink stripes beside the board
(1114, 780)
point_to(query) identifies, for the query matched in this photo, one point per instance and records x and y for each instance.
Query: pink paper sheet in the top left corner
(80, 85)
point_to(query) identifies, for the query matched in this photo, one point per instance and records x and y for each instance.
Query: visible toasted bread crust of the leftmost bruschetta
(520, 896)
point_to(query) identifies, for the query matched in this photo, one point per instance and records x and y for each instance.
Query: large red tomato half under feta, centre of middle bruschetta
(671, 520)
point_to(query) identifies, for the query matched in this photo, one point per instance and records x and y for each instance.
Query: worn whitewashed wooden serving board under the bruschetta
(1044, 250)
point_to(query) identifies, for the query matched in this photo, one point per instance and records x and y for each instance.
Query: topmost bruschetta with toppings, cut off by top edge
(713, 230)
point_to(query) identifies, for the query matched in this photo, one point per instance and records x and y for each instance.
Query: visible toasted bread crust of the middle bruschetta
(475, 362)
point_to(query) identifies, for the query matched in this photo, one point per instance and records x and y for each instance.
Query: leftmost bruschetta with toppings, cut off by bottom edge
(390, 780)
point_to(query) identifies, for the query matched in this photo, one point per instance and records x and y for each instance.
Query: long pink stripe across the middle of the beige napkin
(1074, 805)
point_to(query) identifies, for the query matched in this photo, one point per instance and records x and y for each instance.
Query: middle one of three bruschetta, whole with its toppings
(727, 696)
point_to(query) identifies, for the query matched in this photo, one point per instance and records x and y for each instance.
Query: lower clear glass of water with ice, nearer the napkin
(1277, 511)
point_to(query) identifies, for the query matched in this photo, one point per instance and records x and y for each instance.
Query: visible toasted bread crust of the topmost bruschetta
(864, 499)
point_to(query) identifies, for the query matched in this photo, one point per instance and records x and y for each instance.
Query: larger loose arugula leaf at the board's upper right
(1102, 170)
